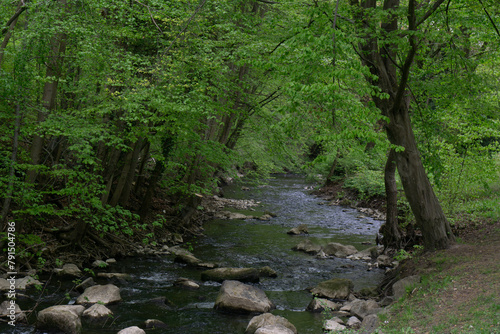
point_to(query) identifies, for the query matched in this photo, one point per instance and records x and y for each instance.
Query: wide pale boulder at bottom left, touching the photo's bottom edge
(64, 318)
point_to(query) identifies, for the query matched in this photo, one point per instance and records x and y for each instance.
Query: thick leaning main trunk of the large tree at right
(424, 204)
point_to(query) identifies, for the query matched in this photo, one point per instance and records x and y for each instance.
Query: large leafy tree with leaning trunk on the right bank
(393, 40)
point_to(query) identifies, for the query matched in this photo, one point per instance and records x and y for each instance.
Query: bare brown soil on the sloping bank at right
(473, 263)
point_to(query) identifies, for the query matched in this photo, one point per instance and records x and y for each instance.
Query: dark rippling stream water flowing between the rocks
(243, 243)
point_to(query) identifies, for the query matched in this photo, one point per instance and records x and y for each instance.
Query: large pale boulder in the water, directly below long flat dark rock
(238, 297)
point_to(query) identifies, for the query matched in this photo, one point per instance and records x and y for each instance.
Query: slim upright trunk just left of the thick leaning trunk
(391, 231)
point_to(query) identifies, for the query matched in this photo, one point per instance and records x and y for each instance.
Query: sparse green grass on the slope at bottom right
(431, 308)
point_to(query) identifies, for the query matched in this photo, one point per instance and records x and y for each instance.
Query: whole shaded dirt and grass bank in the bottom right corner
(460, 291)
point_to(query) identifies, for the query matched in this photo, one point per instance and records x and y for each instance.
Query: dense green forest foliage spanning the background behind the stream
(107, 105)
